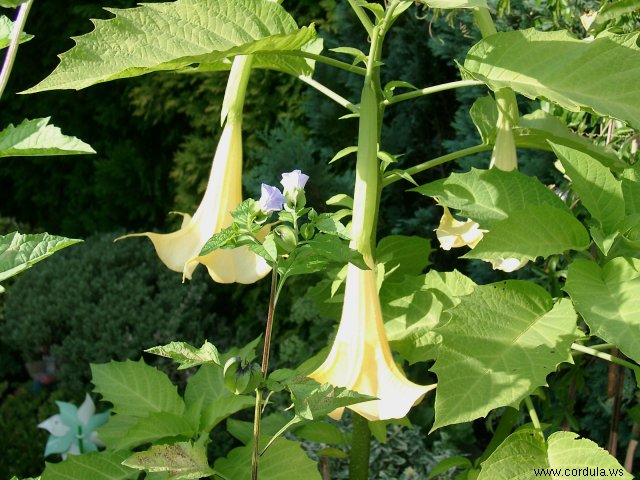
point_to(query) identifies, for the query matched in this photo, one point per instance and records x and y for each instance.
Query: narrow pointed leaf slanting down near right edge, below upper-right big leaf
(599, 190)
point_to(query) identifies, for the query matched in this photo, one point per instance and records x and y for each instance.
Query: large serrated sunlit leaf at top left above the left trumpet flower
(172, 36)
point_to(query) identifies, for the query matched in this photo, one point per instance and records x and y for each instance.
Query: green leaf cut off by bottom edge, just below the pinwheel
(94, 465)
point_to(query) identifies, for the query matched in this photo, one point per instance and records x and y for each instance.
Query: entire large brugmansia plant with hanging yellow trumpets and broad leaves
(490, 346)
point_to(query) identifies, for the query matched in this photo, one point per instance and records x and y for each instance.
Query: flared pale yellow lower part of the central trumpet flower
(360, 358)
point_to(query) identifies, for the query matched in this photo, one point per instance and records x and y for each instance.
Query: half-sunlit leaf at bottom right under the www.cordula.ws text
(525, 454)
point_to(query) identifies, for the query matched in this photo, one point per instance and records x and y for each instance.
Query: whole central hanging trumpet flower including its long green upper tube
(360, 358)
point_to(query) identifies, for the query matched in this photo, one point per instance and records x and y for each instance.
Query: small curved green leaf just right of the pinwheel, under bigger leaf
(154, 427)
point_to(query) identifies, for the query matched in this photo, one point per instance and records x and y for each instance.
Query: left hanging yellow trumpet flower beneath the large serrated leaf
(180, 250)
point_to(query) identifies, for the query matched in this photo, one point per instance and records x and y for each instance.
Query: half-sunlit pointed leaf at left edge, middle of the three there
(37, 137)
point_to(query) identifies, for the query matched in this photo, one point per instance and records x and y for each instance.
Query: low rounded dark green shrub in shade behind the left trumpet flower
(102, 301)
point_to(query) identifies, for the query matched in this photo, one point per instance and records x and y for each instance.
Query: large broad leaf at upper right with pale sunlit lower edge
(599, 75)
